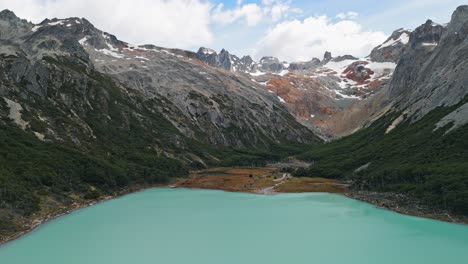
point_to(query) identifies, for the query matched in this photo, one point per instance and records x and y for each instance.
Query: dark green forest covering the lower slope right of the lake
(415, 158)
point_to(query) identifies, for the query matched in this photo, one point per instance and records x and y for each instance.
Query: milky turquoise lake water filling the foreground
(206, 227)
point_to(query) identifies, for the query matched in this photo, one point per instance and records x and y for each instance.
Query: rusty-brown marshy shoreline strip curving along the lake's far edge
(262, 182)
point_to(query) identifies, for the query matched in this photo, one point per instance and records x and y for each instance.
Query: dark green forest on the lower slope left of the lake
(31, 169)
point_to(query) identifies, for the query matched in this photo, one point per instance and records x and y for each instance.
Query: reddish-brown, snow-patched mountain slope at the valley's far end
(322, 94)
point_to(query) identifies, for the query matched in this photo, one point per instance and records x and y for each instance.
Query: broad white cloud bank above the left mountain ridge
(175, 23)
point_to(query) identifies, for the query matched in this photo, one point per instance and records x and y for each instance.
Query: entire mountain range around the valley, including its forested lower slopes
(85, 114)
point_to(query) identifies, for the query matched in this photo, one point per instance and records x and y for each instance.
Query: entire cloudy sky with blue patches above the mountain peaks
(287, 29)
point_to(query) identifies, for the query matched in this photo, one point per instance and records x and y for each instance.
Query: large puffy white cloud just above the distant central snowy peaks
(301, 40)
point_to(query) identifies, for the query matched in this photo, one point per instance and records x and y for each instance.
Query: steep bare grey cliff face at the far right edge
(432, 72)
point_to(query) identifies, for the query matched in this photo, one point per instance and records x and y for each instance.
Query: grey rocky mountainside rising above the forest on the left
(64, 64)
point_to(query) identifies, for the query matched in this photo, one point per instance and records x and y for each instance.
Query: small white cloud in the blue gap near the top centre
(252, 13)
